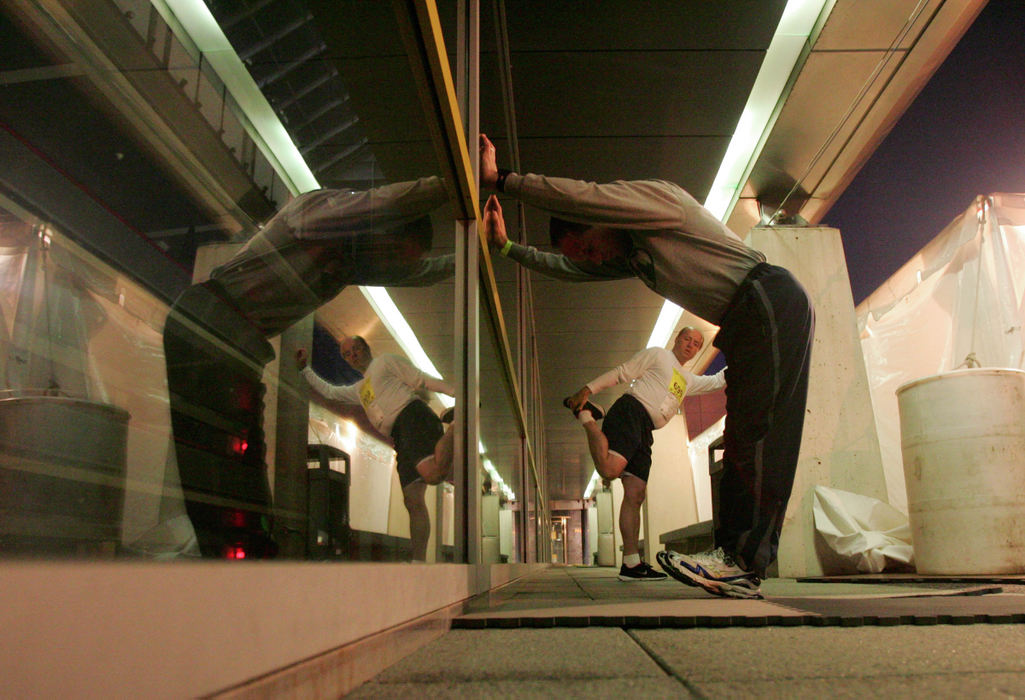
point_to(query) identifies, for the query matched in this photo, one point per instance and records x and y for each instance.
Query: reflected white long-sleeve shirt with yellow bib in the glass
(387, 388)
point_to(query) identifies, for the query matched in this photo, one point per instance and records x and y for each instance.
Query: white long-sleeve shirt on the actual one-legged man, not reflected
(659, 382)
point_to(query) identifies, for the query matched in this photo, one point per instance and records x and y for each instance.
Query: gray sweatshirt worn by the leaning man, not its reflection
(681, 252)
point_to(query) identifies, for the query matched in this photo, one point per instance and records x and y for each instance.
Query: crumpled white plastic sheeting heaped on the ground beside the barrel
(871, 534)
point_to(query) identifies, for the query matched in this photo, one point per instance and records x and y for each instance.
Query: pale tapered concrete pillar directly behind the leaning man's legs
(841, 448)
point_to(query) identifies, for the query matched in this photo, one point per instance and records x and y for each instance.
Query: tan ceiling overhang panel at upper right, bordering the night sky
(849, 95)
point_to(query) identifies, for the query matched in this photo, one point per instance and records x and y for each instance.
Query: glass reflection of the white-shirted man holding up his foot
(391, 395)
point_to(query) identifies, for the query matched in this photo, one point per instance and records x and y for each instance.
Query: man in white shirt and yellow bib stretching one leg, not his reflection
(622, 449)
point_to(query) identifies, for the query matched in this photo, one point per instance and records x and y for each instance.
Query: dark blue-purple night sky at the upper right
(964, 136)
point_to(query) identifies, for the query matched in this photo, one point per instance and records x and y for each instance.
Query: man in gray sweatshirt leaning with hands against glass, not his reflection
(655, 231)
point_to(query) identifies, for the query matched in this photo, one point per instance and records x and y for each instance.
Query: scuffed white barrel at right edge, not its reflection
(963, 440)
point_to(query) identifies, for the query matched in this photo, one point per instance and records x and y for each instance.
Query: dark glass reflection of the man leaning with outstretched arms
(216, 339)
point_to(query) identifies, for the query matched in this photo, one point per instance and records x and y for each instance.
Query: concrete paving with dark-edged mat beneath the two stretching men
(581, 633)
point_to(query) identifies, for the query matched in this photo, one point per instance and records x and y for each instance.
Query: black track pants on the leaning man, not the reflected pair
(767, 340)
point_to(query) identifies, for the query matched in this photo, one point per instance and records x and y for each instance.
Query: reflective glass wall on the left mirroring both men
(228, 264)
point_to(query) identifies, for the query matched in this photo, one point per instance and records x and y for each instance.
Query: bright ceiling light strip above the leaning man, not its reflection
(785, 51)
